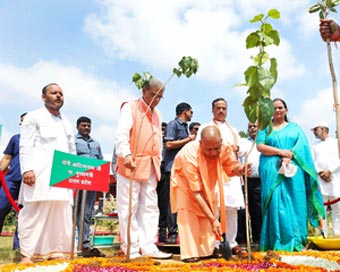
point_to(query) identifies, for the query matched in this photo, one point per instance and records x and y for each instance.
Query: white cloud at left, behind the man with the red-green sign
(84, 95)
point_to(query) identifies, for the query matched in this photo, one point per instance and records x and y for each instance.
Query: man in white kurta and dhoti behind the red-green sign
(45, 221)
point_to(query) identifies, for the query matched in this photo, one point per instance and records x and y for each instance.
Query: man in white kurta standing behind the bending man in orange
(233, 195)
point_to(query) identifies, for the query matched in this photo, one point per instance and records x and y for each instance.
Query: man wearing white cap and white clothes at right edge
(327, 164)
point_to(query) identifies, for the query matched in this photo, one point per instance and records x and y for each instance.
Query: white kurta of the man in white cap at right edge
(326, 157)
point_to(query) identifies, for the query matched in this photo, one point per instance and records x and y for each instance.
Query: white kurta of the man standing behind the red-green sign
(41, 134)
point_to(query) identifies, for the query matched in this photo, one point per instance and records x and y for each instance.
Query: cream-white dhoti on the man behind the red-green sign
(45, 230)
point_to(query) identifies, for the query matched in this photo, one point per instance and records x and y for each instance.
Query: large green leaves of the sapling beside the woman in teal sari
(262, 75)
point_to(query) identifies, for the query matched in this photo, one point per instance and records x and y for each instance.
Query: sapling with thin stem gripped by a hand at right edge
(325, 7)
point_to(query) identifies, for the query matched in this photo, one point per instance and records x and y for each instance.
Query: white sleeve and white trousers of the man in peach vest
(145, 212)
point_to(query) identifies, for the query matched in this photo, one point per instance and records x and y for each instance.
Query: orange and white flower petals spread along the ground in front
(310, 261)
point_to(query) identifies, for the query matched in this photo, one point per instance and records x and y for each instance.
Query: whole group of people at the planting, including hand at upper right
(177, 182)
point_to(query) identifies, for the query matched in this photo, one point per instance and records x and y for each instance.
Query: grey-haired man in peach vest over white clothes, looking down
(138, 145)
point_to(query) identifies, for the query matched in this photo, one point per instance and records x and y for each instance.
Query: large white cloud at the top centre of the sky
(159, 33)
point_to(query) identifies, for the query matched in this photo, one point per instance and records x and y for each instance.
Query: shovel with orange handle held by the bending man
(224, 246)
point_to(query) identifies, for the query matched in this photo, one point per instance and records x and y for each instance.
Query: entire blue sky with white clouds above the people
(93, 48)
